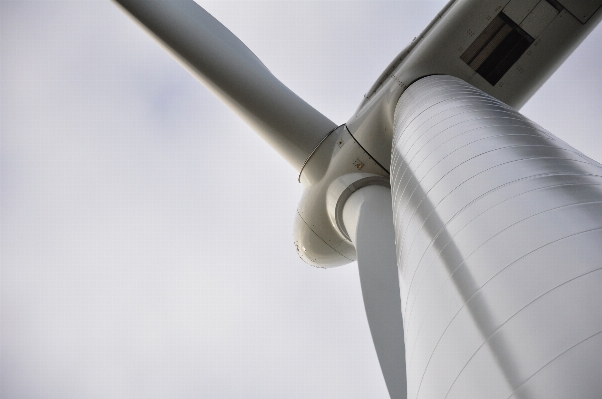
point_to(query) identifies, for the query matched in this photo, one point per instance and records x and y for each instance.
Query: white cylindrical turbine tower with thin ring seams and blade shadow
(498, 225)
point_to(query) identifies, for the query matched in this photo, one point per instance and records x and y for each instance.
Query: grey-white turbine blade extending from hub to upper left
(228, 68)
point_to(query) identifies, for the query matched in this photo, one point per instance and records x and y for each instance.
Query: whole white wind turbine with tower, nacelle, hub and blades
(483, 203)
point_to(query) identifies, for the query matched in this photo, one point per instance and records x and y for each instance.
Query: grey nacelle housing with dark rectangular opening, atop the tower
(438, 51)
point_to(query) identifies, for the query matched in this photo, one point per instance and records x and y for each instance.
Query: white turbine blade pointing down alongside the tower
(369, 221)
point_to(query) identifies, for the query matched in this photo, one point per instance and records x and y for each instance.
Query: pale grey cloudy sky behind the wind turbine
(146, 233)
